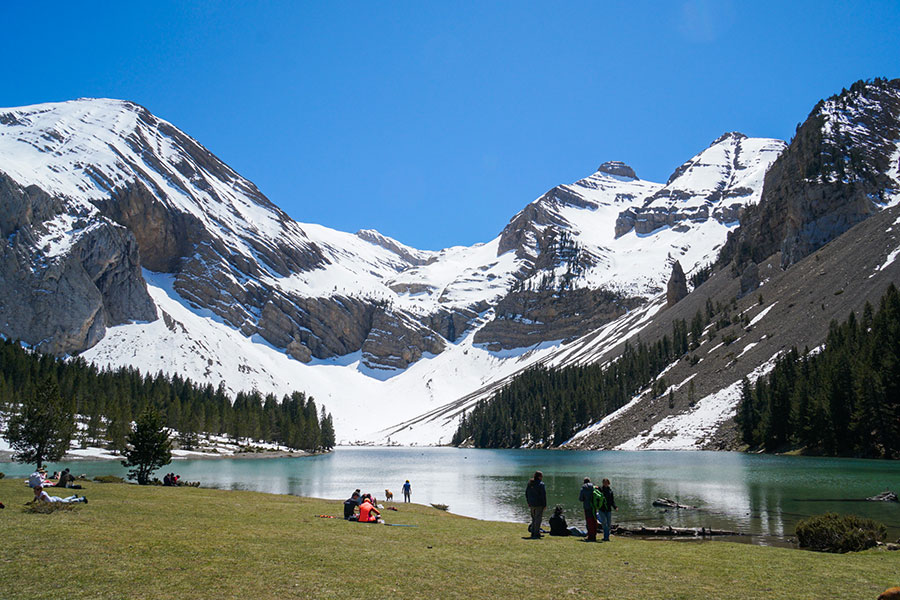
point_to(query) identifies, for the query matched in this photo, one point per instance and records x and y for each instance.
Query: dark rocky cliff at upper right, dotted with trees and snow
(840, 168)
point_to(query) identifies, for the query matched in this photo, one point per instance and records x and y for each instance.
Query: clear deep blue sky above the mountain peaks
(435, 122)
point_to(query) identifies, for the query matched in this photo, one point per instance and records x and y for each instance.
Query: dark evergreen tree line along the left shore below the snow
(107, 401)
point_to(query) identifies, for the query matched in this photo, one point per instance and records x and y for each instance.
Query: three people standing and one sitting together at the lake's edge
(598, 504)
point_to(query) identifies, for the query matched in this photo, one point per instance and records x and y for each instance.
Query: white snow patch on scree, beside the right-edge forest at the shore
(688, 431)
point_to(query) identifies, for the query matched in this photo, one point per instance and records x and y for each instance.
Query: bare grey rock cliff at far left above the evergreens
(64, 277)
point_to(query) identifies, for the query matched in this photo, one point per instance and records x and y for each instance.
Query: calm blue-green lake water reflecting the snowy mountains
(760, 495)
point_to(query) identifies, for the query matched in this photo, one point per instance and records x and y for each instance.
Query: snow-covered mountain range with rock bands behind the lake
(130, 243)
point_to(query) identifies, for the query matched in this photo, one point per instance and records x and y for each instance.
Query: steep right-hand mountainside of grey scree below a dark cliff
(837, 226)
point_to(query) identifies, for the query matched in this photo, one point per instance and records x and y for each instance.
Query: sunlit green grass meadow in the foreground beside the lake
(160, 542)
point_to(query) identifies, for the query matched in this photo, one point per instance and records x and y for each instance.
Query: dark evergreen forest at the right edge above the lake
(842, 401)
